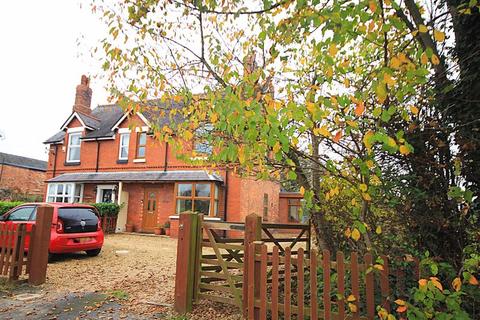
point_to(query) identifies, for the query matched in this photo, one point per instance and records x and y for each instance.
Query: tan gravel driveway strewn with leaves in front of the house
(132, 278)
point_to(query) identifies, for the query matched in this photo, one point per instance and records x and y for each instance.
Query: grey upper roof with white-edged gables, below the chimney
(101, 124)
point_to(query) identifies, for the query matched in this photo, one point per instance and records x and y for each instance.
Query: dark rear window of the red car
(78, 219)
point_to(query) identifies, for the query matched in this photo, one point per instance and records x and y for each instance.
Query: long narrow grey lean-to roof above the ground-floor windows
(133, 176)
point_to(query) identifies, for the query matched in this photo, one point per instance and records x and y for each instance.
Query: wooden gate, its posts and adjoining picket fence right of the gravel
(269, 274)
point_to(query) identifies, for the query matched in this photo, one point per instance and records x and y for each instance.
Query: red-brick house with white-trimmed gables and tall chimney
(109, 155)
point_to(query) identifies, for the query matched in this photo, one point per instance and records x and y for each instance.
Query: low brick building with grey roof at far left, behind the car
(21, 176)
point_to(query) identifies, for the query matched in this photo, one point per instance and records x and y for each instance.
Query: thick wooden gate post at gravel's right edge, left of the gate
(186, 258)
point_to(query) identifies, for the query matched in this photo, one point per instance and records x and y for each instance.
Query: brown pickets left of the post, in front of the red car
(12, 254)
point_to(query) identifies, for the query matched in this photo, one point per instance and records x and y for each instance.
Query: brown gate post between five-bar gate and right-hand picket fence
(253, 232)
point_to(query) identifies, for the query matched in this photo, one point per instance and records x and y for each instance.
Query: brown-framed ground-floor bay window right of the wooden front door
(197, 197)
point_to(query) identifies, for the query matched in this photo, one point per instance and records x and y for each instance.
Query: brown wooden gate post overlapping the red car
(39, 243)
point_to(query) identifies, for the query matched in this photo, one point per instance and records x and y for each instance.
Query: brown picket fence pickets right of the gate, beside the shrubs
(328, 296)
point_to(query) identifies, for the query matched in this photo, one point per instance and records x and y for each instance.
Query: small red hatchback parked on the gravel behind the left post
(75, 227)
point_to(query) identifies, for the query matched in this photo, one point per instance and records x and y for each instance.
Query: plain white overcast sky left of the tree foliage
(40, 66)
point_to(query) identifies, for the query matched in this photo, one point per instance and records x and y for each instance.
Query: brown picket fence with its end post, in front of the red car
(15, 261)
